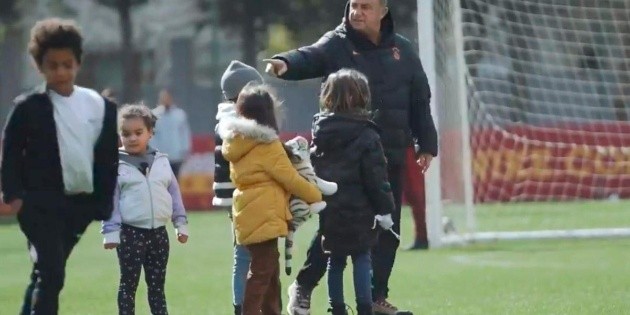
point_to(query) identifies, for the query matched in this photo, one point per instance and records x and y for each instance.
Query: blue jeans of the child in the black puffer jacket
(362, 281)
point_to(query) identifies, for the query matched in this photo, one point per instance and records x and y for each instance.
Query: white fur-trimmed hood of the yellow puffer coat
(241, 135)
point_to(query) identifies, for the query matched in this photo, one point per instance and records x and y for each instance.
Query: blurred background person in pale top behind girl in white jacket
(172, 131)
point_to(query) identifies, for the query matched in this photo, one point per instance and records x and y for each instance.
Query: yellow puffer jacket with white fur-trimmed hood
(264, 178)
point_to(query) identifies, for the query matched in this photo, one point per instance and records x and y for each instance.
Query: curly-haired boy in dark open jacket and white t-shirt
(59, 160)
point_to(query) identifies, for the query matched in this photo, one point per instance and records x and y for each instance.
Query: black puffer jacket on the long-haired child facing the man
(348, 151)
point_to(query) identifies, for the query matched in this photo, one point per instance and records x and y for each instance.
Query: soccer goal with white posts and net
(532, 103)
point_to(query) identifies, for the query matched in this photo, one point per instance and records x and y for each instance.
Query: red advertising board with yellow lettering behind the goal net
(536, 163)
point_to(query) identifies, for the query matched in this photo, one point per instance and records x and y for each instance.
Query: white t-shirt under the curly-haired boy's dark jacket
(79, 120)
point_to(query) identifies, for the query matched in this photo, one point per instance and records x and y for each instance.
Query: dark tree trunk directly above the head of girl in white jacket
(131, 77)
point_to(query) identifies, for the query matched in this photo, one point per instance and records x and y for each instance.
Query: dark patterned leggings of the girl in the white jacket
(148, 248)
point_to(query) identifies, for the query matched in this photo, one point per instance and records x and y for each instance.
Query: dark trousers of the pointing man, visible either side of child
(383, 254)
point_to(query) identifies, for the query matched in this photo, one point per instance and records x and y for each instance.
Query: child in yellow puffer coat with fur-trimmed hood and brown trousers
(264, 178)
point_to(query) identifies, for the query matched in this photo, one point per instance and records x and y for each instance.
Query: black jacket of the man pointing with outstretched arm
(398, 84)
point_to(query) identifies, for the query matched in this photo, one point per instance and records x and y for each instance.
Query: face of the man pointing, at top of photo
(366, 15)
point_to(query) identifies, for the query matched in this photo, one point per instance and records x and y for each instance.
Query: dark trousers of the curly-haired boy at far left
(53, 226)
